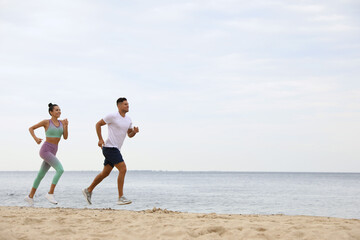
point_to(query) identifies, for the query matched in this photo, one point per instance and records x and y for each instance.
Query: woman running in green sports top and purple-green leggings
(53, 131)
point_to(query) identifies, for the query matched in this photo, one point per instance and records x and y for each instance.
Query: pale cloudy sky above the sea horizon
(263, 85)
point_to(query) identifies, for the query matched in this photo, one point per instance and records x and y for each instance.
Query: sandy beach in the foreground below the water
(62, 223)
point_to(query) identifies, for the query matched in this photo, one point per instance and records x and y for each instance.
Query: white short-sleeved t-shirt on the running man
(117, 129)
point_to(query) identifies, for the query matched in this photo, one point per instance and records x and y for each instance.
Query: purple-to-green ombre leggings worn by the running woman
(48, 153)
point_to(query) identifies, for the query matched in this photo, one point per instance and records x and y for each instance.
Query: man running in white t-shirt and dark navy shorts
(118, 126)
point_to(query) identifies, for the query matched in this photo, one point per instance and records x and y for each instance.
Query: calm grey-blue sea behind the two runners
(288, 193)
